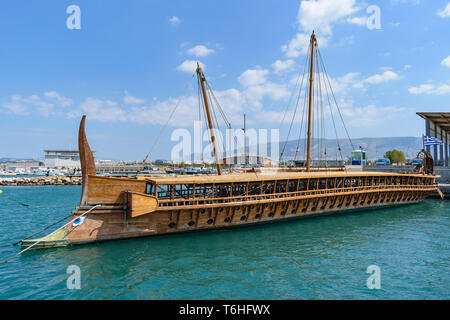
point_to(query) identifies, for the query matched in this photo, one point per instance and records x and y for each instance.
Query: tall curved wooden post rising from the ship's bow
(87, 162)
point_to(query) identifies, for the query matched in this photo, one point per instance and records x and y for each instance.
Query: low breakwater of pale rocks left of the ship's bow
(41, 181)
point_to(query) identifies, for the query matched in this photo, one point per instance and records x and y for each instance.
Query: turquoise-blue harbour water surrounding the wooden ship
(321, 258)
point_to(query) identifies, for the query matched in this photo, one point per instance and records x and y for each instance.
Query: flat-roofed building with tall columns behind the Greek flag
(437, 125)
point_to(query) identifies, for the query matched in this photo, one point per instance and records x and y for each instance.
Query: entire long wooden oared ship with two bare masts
(114, 208)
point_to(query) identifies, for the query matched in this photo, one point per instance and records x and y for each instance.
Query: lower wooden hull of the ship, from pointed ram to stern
(114, 225)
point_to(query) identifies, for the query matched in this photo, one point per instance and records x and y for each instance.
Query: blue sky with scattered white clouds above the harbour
(127, 64)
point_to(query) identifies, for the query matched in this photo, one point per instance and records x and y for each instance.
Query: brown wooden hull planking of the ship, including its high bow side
(116, 220)
